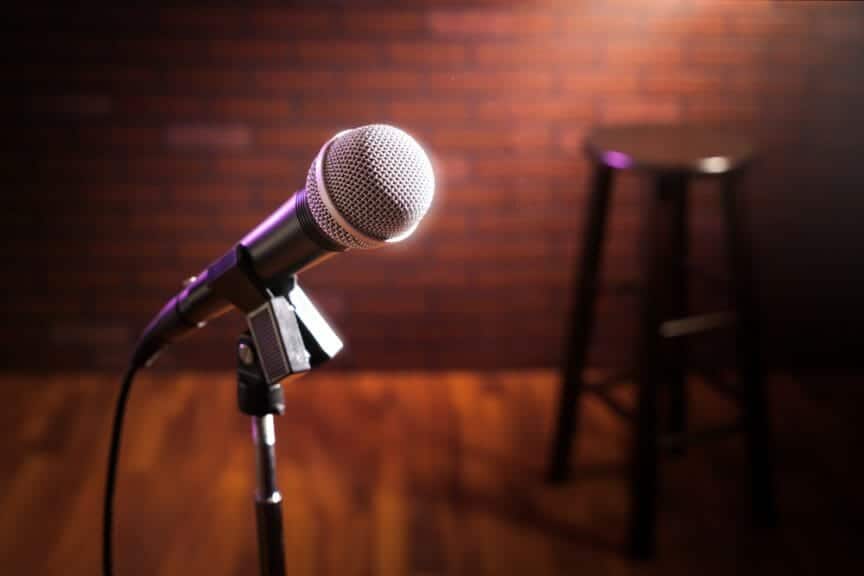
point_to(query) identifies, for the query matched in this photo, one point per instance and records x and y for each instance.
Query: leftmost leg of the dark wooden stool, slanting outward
(581, 322)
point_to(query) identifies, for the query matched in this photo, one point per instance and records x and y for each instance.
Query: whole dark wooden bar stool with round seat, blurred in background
(670, 156)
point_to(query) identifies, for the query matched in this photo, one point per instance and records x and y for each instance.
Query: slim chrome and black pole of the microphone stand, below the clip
(268, 500)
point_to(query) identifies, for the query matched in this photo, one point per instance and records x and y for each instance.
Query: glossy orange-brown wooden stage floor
(391, 474)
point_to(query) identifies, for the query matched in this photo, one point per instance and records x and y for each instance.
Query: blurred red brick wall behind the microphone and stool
(148, 140)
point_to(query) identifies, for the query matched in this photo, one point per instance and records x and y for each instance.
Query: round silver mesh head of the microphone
(378, 179)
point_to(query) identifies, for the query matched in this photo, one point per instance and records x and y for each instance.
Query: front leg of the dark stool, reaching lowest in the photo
(643, 464)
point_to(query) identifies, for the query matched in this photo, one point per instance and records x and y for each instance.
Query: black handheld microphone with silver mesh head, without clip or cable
(366, 187)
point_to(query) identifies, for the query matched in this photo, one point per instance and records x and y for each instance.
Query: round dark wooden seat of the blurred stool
(693, 149)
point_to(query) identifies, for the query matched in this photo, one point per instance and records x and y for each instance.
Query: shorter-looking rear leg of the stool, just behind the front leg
(675, 287)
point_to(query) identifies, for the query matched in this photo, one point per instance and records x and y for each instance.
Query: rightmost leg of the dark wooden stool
(750, 372)
